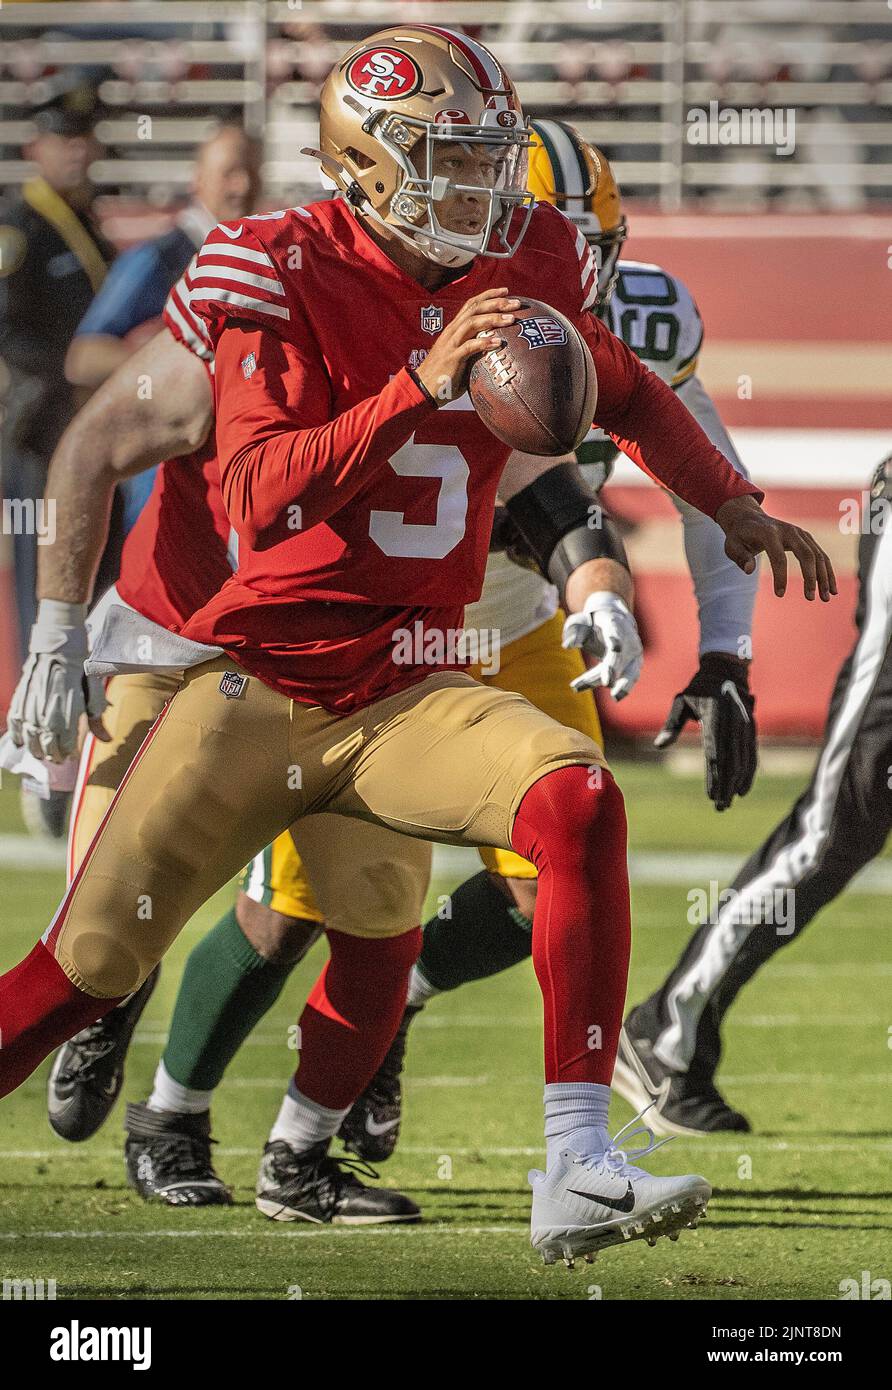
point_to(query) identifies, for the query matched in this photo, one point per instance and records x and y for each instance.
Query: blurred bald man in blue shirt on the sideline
(226, 186)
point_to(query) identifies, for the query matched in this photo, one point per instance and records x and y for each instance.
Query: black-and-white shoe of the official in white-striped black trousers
(680, 1103)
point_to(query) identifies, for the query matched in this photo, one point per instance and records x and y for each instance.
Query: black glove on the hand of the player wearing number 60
(719, 698)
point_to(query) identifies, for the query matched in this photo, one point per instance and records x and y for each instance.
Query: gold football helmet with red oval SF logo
(398, 98)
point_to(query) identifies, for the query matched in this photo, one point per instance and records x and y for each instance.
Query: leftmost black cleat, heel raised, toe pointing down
(88, 1071)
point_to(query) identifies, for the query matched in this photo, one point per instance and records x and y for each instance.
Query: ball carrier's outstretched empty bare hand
(750, 532)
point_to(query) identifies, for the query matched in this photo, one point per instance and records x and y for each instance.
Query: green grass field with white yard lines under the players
(800, 1206)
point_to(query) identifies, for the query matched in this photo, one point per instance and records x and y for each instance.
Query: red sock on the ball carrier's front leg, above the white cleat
(572, 825)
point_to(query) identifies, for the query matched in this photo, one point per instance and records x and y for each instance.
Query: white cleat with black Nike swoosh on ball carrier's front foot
(583, 1204)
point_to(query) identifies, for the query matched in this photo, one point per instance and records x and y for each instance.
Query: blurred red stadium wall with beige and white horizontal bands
(798, 357)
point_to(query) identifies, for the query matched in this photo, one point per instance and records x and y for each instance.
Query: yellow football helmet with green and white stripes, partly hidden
(572, 174)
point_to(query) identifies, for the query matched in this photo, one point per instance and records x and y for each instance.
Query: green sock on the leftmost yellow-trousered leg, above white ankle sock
(226, 990)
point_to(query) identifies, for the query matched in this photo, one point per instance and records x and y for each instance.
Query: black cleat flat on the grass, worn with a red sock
(312, 1186)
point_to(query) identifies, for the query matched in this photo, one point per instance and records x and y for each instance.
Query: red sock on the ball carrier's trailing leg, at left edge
(40, 1010)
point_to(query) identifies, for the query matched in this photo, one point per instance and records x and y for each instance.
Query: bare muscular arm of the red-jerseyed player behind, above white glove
(156, 407)
